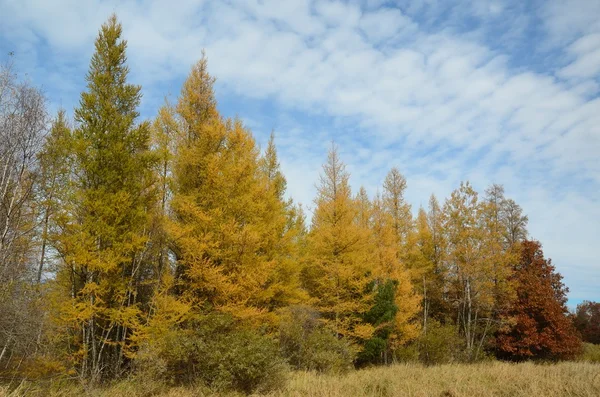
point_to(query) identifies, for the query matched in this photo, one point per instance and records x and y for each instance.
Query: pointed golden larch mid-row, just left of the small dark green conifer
(337, 276)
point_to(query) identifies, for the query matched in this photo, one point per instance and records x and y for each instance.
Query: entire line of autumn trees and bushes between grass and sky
(169, 247)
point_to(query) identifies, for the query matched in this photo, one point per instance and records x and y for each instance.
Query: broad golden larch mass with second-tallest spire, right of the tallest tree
(232, 231)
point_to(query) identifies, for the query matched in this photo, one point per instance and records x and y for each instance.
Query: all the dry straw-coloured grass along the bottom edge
(456, 380)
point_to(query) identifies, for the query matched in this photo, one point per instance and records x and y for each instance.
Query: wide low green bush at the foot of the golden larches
(211, 350)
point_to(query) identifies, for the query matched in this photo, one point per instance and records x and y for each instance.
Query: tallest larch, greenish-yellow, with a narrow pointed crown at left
(101, 230)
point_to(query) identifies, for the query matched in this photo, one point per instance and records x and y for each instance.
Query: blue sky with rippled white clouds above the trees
(491, 91)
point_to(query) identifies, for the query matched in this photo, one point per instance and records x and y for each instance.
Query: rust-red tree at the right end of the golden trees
(541, 328)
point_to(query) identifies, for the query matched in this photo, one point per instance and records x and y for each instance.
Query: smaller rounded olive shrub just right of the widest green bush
(307, 345)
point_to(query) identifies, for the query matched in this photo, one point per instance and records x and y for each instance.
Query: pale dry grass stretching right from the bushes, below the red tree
(489, 379)
